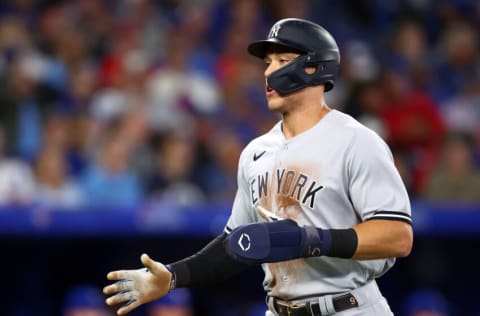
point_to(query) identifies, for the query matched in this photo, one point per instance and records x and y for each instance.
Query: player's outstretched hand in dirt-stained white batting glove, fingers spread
(136, 287)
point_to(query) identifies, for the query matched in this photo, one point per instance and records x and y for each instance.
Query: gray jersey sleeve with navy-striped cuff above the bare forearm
(376, 189)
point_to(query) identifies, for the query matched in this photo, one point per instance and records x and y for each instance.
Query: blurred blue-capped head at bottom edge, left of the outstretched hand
(85, 300)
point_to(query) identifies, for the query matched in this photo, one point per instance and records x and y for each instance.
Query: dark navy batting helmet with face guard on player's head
(318, 49)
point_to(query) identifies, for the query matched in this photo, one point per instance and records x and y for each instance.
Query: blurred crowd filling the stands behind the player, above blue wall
(109, 104)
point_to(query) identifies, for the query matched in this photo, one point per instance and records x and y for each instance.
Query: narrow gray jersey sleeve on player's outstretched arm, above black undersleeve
(242, 208)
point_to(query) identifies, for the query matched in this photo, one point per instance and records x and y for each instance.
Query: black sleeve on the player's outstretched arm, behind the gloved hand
(210, 265)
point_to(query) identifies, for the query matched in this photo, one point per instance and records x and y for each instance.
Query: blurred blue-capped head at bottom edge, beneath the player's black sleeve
(177, 303)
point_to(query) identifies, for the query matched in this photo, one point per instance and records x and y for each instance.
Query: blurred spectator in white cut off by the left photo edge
(17, 184)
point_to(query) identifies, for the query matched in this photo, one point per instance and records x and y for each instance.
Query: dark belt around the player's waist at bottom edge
(312, 308)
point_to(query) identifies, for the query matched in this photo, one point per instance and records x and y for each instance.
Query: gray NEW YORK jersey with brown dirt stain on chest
(334, 175)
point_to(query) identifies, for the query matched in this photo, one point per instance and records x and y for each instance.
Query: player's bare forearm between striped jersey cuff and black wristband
(383, 239)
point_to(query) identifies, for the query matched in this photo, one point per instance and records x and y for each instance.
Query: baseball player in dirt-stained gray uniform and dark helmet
(319, 204)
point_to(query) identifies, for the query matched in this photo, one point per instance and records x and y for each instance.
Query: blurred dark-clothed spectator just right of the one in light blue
(172, 179)
